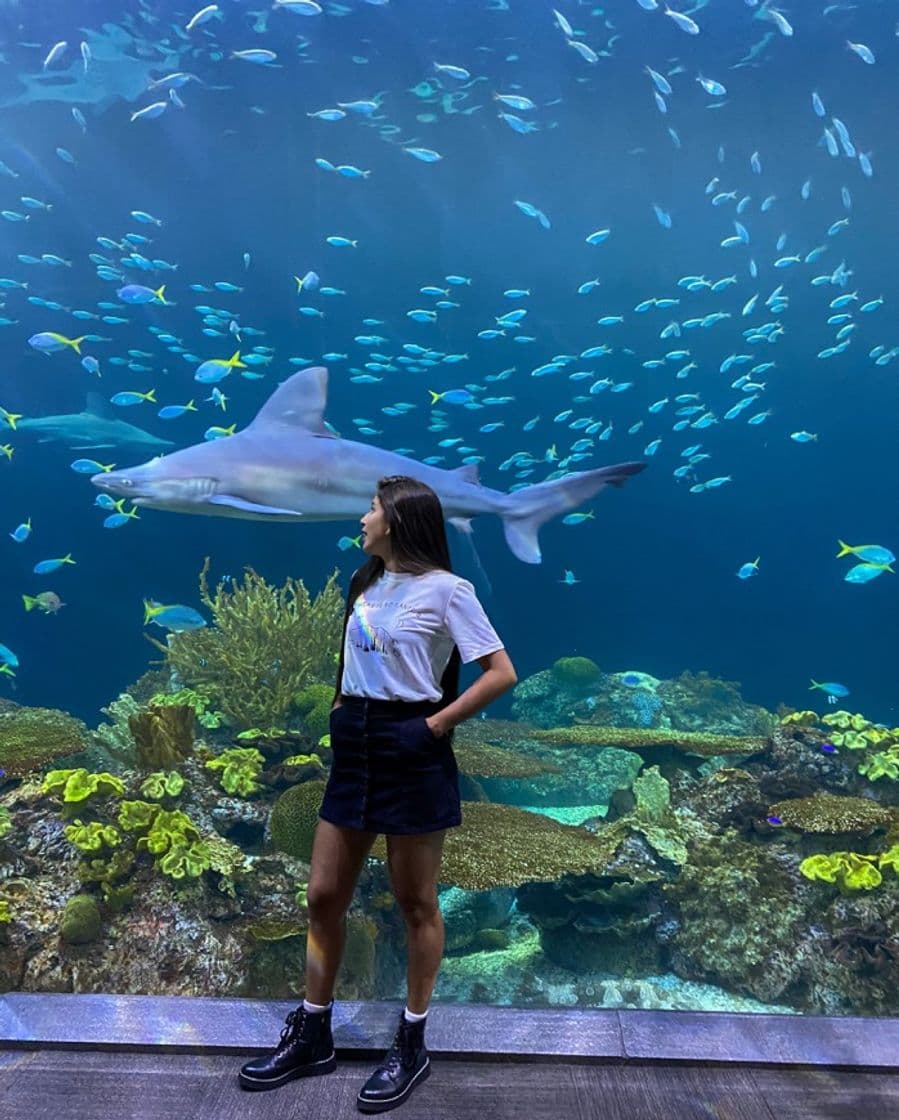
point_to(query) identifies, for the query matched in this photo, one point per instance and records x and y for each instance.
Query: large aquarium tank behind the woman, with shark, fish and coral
(619, 282)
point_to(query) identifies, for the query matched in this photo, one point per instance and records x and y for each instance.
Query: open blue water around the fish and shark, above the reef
(235, 173)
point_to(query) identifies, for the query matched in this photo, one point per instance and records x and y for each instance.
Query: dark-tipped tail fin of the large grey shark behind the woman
(528, 509)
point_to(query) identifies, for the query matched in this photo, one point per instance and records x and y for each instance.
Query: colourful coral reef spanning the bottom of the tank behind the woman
(750, 855)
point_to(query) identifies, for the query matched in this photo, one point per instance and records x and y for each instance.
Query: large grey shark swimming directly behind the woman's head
(289, 465)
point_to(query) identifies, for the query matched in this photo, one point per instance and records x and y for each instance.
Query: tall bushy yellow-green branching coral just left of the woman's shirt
(267, 646)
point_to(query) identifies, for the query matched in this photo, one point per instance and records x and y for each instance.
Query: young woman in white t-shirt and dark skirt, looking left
(409, 624)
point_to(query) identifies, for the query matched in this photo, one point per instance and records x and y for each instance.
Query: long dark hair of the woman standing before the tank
(419, 537)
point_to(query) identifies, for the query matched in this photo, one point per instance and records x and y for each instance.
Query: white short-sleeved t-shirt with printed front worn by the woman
(400, 637)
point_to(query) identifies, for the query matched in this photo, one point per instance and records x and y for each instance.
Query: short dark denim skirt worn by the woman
(390, 773)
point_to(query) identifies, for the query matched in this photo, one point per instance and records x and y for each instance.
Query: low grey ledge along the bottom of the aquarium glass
(247, 1026)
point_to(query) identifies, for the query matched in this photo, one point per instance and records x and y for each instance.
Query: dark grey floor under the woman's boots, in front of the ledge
(69, 1085)
